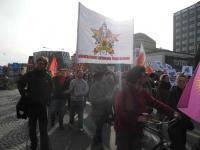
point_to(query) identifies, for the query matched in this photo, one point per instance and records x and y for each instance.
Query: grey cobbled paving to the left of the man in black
(13, 132)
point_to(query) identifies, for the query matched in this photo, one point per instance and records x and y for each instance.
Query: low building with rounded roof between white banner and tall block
(175, 59)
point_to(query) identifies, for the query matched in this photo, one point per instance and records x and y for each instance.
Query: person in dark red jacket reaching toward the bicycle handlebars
(130, 103)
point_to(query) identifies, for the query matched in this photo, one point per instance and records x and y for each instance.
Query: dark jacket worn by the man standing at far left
(36, 86)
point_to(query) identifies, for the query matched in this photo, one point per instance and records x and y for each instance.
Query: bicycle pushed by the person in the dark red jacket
(154, 126)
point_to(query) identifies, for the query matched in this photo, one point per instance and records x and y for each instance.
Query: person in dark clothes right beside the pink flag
(177, 131)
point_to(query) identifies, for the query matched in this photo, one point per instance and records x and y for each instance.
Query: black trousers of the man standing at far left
(38, 113)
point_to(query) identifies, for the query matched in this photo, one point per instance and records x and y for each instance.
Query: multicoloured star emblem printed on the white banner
(104, 40)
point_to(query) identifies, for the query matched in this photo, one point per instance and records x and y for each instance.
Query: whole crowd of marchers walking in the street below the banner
(115, 101)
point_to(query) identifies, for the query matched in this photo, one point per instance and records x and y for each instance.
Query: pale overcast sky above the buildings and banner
(27, 26)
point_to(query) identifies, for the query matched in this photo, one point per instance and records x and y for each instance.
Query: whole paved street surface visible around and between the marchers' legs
(14, 132)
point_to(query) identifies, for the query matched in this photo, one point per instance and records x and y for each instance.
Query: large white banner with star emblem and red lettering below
(101, 40)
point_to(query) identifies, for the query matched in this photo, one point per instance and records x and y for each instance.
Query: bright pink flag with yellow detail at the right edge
(189, 102)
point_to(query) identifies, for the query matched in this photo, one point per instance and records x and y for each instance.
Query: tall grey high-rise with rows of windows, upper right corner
(186, 29)
